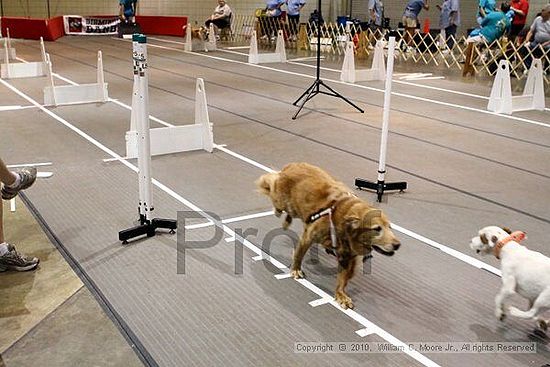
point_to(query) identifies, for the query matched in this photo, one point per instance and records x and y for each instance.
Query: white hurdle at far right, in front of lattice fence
(501, 99)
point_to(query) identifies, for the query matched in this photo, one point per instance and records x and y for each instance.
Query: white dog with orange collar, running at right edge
(524, 272)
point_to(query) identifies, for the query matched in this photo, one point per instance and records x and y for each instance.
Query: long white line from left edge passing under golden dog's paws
(307, 284)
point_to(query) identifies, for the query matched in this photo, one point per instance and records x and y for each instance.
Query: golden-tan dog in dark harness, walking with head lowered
(333, 217)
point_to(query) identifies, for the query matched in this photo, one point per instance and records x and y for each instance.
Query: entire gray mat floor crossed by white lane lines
(466, 168)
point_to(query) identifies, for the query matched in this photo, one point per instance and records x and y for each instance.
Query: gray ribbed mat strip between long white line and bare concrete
(205, 317)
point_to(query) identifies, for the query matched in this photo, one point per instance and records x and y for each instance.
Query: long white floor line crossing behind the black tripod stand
(508, 117)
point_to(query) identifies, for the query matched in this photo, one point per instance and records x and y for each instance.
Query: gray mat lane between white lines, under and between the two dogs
(420, 292)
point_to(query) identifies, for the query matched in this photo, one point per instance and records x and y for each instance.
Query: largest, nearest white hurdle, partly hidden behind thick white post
(176, 139)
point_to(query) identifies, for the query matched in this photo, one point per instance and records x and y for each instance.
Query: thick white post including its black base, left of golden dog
(147, 226)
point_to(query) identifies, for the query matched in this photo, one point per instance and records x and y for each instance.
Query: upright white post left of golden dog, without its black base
(142, 119)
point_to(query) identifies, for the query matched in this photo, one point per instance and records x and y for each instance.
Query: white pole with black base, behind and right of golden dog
(381, 185)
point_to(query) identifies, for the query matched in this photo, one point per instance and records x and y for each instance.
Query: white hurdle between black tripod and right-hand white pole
(376, 72)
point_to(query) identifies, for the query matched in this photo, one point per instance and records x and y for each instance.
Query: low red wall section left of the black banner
(49, 29)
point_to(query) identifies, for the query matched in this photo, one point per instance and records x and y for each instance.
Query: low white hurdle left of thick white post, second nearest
(76, 94)
